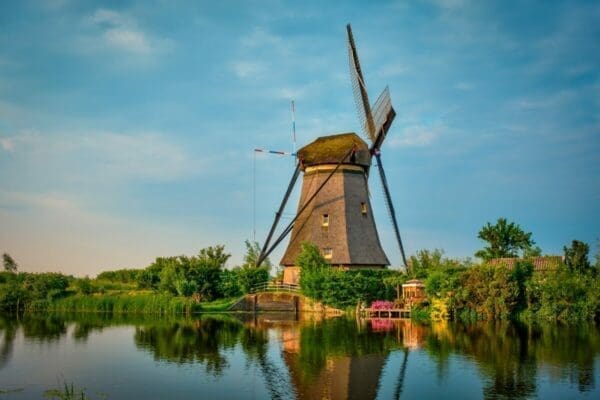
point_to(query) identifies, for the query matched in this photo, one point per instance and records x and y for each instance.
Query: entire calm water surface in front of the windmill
(282, 356)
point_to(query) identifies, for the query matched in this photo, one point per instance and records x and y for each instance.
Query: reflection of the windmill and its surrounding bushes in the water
(325, 361)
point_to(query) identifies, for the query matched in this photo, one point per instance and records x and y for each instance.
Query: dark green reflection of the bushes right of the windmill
(510, 354)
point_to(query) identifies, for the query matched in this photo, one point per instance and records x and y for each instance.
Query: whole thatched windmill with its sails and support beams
(334, 211)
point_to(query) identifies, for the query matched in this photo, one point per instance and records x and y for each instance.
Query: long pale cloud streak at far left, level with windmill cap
(103, 155)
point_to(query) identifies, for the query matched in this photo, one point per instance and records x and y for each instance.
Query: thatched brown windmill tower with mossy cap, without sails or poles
(339, 219)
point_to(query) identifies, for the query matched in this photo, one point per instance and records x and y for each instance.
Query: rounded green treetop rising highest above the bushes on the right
(505, 240)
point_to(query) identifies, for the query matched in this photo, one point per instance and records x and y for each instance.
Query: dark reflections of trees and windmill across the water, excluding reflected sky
(308, 357)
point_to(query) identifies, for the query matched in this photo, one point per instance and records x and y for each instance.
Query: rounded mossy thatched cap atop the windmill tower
(332, 149)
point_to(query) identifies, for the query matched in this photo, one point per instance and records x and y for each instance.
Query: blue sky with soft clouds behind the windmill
(127, 128)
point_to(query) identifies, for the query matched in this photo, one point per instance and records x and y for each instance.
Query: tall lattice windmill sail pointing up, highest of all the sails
(359, 89)
